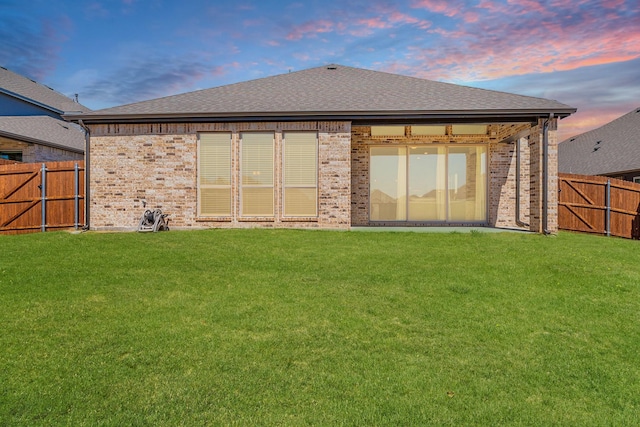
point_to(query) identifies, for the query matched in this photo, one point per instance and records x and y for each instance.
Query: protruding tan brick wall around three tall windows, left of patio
(158, 163)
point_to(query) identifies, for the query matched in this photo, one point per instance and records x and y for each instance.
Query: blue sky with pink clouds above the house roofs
(582, 53)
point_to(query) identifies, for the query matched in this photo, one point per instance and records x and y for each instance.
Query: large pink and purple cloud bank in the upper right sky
(537, 39)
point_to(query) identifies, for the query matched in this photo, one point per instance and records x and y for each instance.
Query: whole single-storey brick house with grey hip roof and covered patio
(328, 147)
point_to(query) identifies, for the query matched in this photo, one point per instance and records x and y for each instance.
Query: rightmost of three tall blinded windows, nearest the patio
(300, 174)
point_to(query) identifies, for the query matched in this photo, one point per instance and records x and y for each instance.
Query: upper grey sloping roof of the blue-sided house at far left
(27, 90)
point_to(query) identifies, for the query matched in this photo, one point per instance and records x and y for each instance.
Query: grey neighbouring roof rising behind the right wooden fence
(612, 148)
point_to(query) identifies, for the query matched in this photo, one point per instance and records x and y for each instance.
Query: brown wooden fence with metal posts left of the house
(41, 196)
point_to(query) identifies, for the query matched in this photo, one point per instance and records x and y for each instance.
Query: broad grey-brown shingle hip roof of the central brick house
(333, 91)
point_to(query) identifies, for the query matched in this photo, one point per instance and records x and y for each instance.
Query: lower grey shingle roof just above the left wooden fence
(43, 130)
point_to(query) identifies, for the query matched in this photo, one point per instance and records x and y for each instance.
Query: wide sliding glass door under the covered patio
(428, 183)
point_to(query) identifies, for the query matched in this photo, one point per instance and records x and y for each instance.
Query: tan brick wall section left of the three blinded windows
(125, 170)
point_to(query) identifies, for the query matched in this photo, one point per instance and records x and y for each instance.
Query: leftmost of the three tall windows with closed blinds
(214, 174)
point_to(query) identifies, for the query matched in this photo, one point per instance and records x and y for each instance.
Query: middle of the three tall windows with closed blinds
(257, 174)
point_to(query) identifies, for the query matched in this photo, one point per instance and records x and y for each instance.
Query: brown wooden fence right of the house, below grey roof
(600, 205)
